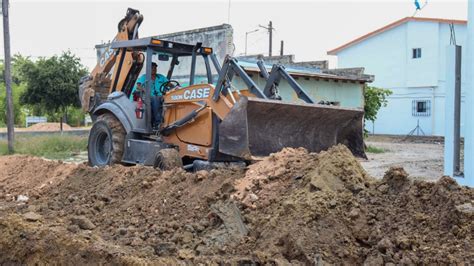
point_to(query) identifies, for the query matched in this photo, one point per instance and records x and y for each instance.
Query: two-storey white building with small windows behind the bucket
(408, 57)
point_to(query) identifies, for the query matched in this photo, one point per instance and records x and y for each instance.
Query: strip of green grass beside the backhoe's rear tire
(50, 146)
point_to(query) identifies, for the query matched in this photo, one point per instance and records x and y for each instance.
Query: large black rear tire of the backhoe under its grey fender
(106, 141)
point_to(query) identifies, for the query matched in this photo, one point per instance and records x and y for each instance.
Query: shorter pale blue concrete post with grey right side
(452, 111)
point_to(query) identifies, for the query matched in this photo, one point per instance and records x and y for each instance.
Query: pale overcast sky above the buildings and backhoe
(309, 28)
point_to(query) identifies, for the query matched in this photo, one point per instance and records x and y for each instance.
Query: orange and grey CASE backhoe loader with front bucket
(205, 123)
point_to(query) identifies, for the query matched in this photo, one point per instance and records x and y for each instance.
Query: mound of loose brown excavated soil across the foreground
(293, 207)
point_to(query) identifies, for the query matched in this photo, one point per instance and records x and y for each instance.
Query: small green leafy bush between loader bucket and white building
(375, 98)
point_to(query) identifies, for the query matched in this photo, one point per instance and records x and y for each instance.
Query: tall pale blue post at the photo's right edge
(469, 116)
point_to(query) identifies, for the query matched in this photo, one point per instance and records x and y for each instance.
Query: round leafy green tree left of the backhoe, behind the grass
(52, 83)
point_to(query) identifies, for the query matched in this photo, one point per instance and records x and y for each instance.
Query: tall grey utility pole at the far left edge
(8, 77)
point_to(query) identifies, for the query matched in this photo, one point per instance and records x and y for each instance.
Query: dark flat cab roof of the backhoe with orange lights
(174, 48)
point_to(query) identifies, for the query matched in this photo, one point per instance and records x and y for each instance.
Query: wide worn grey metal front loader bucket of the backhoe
(256, 127)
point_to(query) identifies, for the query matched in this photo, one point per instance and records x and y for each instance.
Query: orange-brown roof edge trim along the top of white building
(391, 26)
